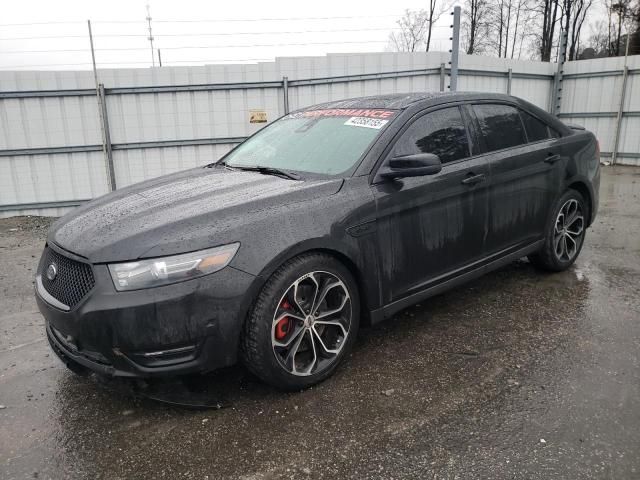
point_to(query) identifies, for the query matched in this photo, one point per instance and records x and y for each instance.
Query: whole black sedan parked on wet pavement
(332, 217)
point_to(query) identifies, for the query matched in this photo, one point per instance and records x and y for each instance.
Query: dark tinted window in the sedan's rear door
(500, 126)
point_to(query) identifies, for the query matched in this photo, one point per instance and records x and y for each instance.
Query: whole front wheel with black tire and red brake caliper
(286, 331)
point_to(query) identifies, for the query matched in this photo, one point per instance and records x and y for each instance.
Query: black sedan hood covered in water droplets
(177, 213)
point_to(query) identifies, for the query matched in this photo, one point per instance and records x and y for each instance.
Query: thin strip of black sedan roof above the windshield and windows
(404, 100)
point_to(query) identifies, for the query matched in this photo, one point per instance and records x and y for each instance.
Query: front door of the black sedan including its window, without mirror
(431, 227)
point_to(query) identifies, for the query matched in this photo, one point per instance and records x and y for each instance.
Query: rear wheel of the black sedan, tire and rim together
(563, 242)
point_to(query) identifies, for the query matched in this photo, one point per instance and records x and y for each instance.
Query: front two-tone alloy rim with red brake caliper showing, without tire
(311, 323)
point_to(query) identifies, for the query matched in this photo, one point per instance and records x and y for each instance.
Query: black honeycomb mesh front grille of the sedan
(73, 280)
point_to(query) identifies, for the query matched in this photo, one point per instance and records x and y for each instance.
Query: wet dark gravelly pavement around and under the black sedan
(519, 374)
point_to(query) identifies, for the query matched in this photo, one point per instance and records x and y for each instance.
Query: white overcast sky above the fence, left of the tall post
(223, 31)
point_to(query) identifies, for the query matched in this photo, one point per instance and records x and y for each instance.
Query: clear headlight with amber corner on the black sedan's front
(162, 271)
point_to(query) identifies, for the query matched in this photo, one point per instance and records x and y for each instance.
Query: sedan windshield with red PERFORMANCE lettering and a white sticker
(328, 141)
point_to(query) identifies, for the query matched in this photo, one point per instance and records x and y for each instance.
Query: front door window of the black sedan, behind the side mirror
(441, 132)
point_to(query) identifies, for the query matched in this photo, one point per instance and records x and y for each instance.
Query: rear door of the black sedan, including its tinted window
(526, 173)
